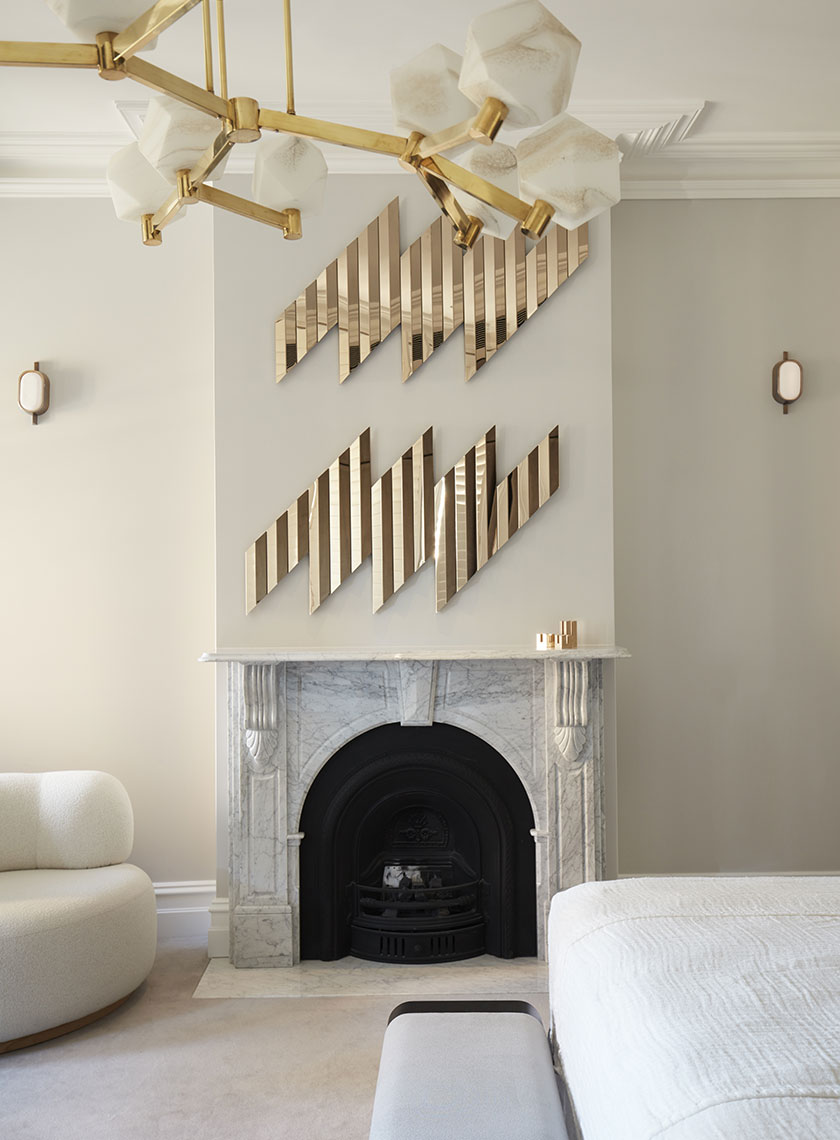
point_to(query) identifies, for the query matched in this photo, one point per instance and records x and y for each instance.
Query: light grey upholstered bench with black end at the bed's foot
(467, 1071)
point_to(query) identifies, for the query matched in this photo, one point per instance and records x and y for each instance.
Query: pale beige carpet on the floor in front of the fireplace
(169, 1068)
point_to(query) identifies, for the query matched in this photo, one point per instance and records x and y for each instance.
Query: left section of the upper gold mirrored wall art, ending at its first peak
(360, 292)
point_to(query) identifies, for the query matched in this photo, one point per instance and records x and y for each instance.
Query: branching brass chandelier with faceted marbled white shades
(518, 70)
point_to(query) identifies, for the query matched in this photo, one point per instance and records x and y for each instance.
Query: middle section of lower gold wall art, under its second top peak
(403, 519)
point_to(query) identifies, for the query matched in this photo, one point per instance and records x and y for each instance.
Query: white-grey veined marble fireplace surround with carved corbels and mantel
(290, 711)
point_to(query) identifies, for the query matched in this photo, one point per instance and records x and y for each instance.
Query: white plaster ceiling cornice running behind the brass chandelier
(664, 157)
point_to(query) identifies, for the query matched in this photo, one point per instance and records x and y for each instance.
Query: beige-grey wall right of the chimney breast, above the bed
(728, 536)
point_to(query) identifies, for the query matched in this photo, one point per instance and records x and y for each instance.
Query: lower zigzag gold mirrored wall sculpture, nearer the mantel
(403, 520)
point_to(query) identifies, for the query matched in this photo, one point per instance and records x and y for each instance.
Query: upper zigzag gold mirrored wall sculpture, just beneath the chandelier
(431, 290)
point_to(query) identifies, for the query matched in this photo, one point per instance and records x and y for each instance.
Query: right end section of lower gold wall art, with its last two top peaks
(475, 517)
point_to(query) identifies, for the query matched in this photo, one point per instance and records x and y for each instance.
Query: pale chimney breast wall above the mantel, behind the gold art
(274, 439)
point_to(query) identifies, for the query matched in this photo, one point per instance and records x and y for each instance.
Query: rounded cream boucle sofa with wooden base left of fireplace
(78, 925)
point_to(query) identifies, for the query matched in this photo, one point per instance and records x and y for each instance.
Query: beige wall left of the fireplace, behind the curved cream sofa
(107, 559)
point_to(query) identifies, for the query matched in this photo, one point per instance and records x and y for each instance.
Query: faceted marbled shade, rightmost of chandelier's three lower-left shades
(290, 173)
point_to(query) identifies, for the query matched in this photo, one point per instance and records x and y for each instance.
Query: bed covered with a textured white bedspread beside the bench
(699, 1009)
